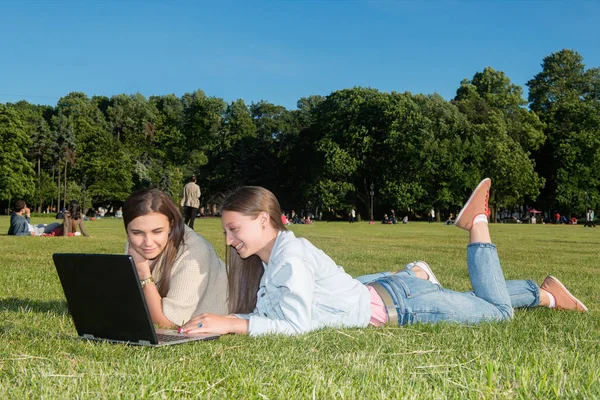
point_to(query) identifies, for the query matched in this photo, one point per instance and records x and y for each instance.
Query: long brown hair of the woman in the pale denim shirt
(244, 275)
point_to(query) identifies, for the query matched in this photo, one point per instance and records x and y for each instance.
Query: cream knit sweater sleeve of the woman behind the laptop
(189, 279)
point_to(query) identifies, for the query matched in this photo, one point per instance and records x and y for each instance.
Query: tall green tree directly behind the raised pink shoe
(505, 134)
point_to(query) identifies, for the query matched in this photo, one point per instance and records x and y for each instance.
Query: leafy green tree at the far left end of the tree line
(16, 172)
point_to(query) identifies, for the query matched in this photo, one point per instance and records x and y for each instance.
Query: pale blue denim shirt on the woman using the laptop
(303, 289)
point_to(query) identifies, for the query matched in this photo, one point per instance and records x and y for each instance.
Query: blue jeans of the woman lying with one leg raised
(419, 300)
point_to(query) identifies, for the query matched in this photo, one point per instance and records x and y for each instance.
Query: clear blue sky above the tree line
(279, 51)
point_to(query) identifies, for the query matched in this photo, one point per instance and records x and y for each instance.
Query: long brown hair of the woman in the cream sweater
(147, 201)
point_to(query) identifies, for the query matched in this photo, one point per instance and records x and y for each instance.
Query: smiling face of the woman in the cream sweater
(149, 234)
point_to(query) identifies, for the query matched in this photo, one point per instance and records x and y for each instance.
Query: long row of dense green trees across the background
(417, 151)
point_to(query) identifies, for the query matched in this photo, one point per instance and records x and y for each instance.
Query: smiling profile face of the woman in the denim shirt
(248, 235)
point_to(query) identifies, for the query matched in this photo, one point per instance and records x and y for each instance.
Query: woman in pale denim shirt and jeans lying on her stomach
(280, 284)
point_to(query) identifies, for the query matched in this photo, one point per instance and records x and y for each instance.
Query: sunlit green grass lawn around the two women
(539, 354)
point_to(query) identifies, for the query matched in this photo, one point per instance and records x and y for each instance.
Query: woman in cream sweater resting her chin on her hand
(180, 272)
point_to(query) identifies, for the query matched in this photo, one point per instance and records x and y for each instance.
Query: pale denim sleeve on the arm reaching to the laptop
(291, 291)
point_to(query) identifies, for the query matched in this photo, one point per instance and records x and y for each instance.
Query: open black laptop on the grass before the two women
(106, 301)
